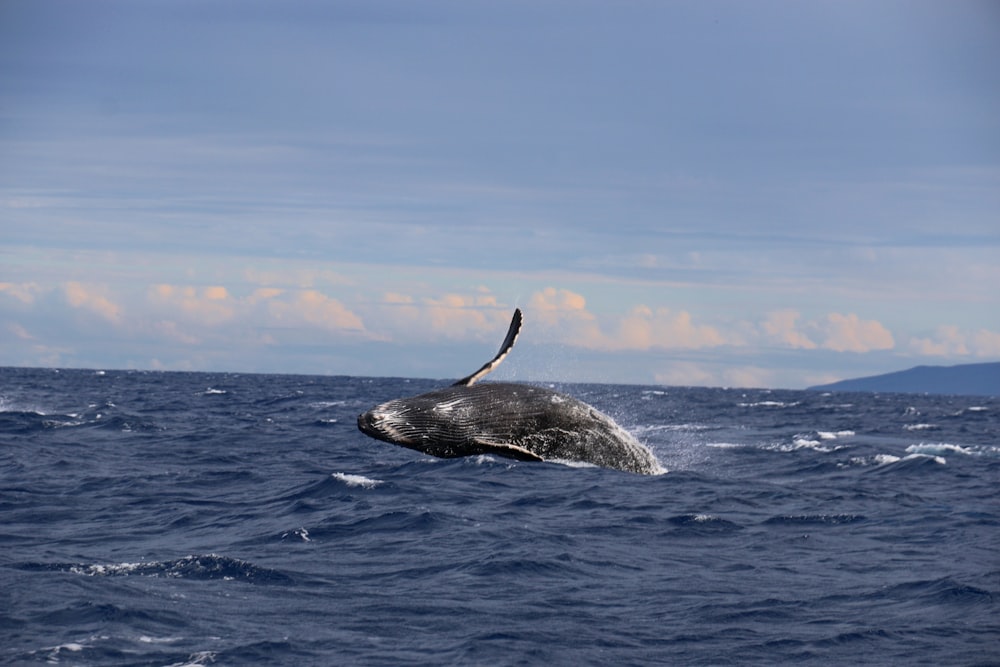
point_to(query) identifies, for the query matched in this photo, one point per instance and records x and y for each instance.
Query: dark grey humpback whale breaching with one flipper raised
(517, 421)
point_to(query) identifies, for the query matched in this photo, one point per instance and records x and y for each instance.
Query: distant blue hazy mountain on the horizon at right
(966, 379)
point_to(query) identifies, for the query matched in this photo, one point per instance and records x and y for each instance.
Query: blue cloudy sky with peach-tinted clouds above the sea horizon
(727, 193)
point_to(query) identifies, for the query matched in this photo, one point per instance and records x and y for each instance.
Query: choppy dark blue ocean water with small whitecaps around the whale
(197, 519)
